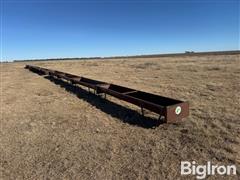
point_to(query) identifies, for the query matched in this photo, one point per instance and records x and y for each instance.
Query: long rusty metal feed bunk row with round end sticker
(171, 109)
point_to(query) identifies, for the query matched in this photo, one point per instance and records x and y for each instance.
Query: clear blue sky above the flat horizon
(34, 29)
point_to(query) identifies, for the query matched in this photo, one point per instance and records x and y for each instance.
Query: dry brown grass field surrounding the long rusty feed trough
(51, 130)
